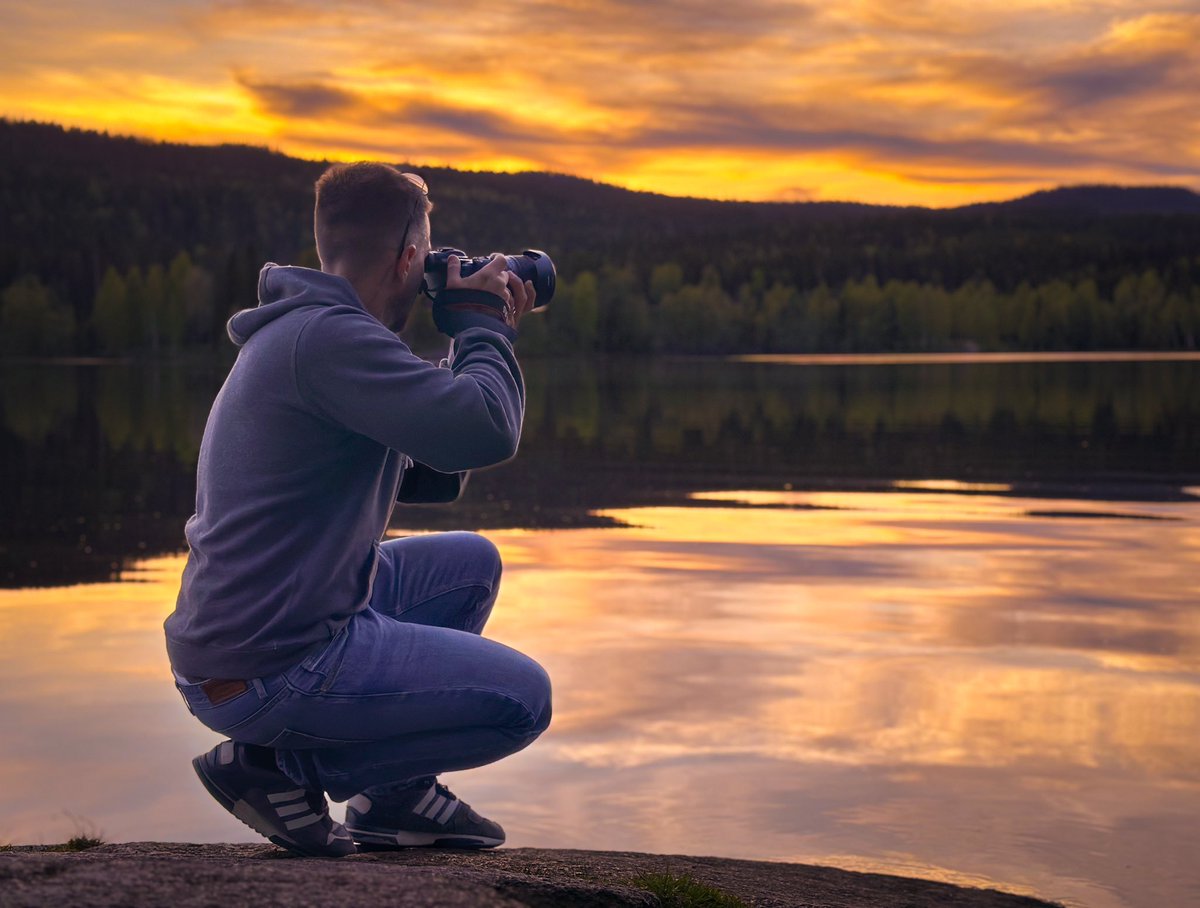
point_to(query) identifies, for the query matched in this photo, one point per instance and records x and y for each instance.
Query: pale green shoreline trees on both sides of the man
(169, 309)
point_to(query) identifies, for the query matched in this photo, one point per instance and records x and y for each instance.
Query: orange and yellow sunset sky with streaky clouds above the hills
(923, 103)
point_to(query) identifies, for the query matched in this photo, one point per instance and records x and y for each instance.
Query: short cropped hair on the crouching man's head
(361, 209)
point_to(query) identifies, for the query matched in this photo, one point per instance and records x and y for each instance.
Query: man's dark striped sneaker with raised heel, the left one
(247, 784)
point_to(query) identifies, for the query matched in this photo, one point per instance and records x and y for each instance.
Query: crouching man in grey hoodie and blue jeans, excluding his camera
(335, 663)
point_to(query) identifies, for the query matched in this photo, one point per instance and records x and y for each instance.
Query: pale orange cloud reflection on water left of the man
(92, 723)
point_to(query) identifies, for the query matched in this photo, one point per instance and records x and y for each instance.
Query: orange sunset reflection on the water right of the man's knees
(937, 684)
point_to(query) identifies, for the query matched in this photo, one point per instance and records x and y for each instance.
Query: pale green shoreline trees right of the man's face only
(614, 311)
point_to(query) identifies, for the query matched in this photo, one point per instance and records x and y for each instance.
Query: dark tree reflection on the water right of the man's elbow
(1095, 416)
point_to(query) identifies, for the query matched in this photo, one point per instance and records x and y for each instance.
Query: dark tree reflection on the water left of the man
(97, 484)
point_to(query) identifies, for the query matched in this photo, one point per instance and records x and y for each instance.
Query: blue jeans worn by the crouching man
(407, 689)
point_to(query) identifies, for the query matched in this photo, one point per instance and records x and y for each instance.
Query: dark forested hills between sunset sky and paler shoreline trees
(75, 203)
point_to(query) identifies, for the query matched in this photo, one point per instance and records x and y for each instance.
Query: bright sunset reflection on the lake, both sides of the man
(915, 682)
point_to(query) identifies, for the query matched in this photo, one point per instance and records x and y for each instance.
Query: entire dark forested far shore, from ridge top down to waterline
(123, 246)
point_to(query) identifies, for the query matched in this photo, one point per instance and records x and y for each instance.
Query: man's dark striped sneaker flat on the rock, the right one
(425, 814)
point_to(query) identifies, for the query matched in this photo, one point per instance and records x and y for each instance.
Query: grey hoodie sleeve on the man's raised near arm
(351, 370)
